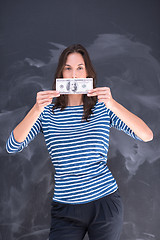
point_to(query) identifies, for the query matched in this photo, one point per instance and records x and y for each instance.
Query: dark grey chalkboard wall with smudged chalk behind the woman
(123, 39)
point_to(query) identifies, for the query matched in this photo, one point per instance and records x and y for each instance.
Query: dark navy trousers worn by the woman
(102, 219)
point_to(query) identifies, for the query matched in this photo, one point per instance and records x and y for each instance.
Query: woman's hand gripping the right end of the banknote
(103, 94)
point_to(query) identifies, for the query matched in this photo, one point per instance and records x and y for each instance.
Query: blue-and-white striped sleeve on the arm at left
(12, 146)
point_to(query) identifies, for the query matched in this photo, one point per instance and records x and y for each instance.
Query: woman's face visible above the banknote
(74, 67)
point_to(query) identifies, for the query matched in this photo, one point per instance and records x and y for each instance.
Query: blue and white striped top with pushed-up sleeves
(78, 150)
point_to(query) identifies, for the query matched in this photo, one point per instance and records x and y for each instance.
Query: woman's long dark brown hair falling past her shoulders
(62, 101)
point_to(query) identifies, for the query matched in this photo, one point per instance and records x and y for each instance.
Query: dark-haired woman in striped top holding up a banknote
(76, 130)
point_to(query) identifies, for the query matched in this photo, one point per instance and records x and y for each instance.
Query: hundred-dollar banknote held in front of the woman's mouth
(74, 85)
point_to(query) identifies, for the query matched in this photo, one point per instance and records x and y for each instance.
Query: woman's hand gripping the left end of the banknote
(44, 98)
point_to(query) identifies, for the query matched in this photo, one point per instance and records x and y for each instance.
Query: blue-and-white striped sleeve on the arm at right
(117, 123)
